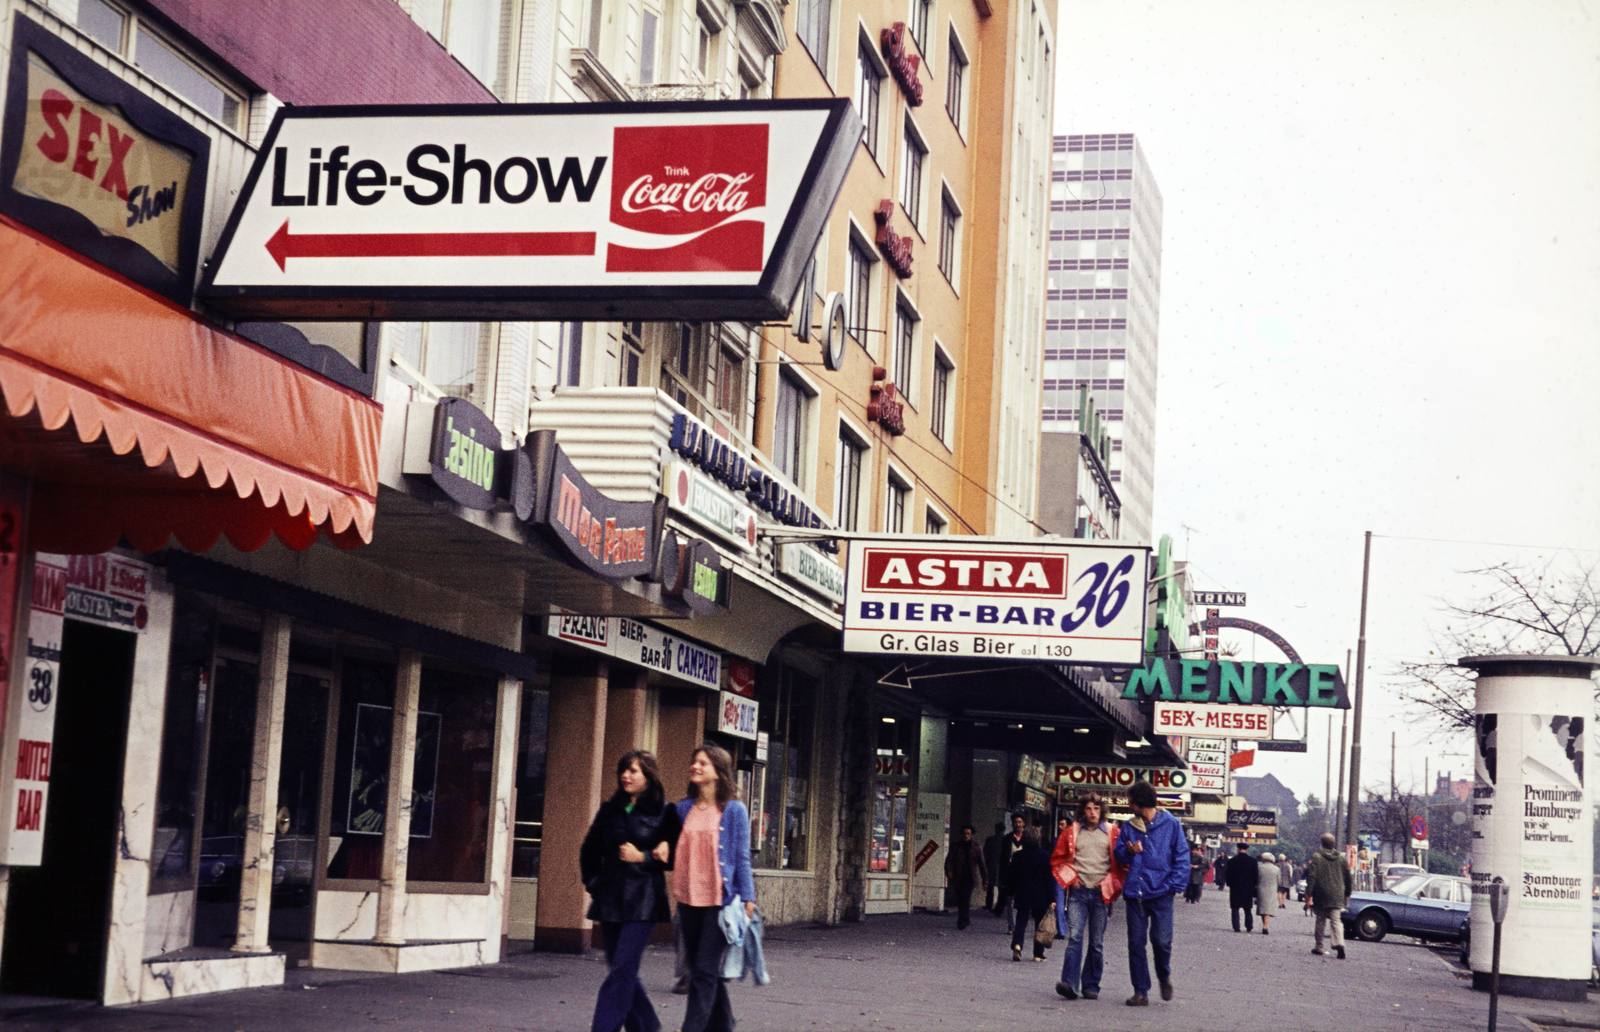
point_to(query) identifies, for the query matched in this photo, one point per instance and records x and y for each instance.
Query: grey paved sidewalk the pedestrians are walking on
(905, 972)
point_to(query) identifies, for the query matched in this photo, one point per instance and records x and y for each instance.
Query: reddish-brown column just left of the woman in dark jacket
(575, 783)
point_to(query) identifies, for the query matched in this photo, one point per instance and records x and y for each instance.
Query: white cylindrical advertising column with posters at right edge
(1534, 823)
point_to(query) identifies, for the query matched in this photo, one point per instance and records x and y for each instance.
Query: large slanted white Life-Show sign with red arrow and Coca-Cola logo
(586, 212)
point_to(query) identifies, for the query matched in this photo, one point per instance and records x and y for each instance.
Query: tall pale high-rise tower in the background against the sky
(1105, 306)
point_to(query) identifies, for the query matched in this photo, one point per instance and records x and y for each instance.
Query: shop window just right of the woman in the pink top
(783, 785)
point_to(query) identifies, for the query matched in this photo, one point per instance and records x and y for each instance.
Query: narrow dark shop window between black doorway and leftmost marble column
(183, 745)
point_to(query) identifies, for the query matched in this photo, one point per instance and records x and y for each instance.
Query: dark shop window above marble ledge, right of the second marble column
(452, 780)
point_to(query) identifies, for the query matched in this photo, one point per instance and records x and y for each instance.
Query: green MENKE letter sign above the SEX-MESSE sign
(1246, 684)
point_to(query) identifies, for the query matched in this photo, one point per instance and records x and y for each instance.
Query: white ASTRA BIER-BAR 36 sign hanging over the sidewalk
(1002, 599)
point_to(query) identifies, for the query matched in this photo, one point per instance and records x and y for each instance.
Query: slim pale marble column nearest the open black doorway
(262, 825)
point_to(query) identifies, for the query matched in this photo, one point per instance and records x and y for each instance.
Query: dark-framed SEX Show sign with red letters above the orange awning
(100, 167)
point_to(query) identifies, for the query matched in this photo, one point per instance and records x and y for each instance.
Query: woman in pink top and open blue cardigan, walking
(711, 873)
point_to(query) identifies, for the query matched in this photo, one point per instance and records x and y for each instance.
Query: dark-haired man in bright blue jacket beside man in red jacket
(1156, 854)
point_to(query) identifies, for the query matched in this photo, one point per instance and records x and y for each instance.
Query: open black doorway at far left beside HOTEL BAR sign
(58, 914)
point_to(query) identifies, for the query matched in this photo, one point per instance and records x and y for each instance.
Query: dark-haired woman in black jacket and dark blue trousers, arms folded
(623, 858)
